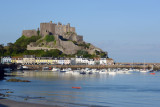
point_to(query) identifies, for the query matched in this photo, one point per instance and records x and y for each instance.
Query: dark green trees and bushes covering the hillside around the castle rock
(19, 48)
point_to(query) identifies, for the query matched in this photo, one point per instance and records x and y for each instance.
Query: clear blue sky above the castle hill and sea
(128, 29)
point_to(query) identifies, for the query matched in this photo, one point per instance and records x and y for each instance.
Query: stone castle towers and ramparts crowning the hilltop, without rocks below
(54, 29)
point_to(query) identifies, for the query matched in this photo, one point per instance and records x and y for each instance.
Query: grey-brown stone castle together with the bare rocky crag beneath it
(65, 39)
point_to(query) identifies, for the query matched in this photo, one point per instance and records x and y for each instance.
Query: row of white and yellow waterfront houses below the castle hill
(31, 59)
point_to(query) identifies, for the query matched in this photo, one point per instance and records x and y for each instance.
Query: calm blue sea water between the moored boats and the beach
(121, 90)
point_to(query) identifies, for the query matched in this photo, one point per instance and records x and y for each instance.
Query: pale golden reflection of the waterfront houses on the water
(57, 75)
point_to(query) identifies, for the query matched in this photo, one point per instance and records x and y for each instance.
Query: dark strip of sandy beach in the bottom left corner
(10, 103)
